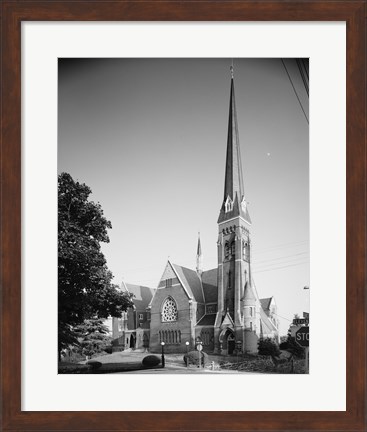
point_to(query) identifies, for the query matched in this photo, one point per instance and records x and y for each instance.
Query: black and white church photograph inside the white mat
(183, 216)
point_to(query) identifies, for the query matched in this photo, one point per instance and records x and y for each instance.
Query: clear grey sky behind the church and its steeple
(149, 137)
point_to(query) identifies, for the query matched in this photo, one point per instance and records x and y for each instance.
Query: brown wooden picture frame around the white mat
(16, 11)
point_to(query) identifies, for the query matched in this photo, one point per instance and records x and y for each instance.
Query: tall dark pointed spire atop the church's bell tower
(234, 203)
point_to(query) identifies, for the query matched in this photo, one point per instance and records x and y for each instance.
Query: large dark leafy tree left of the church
(85, 289)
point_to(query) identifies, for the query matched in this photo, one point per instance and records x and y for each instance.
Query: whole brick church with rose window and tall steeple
(221, 306)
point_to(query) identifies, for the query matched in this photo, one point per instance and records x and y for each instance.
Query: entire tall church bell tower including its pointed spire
(234, 242)
